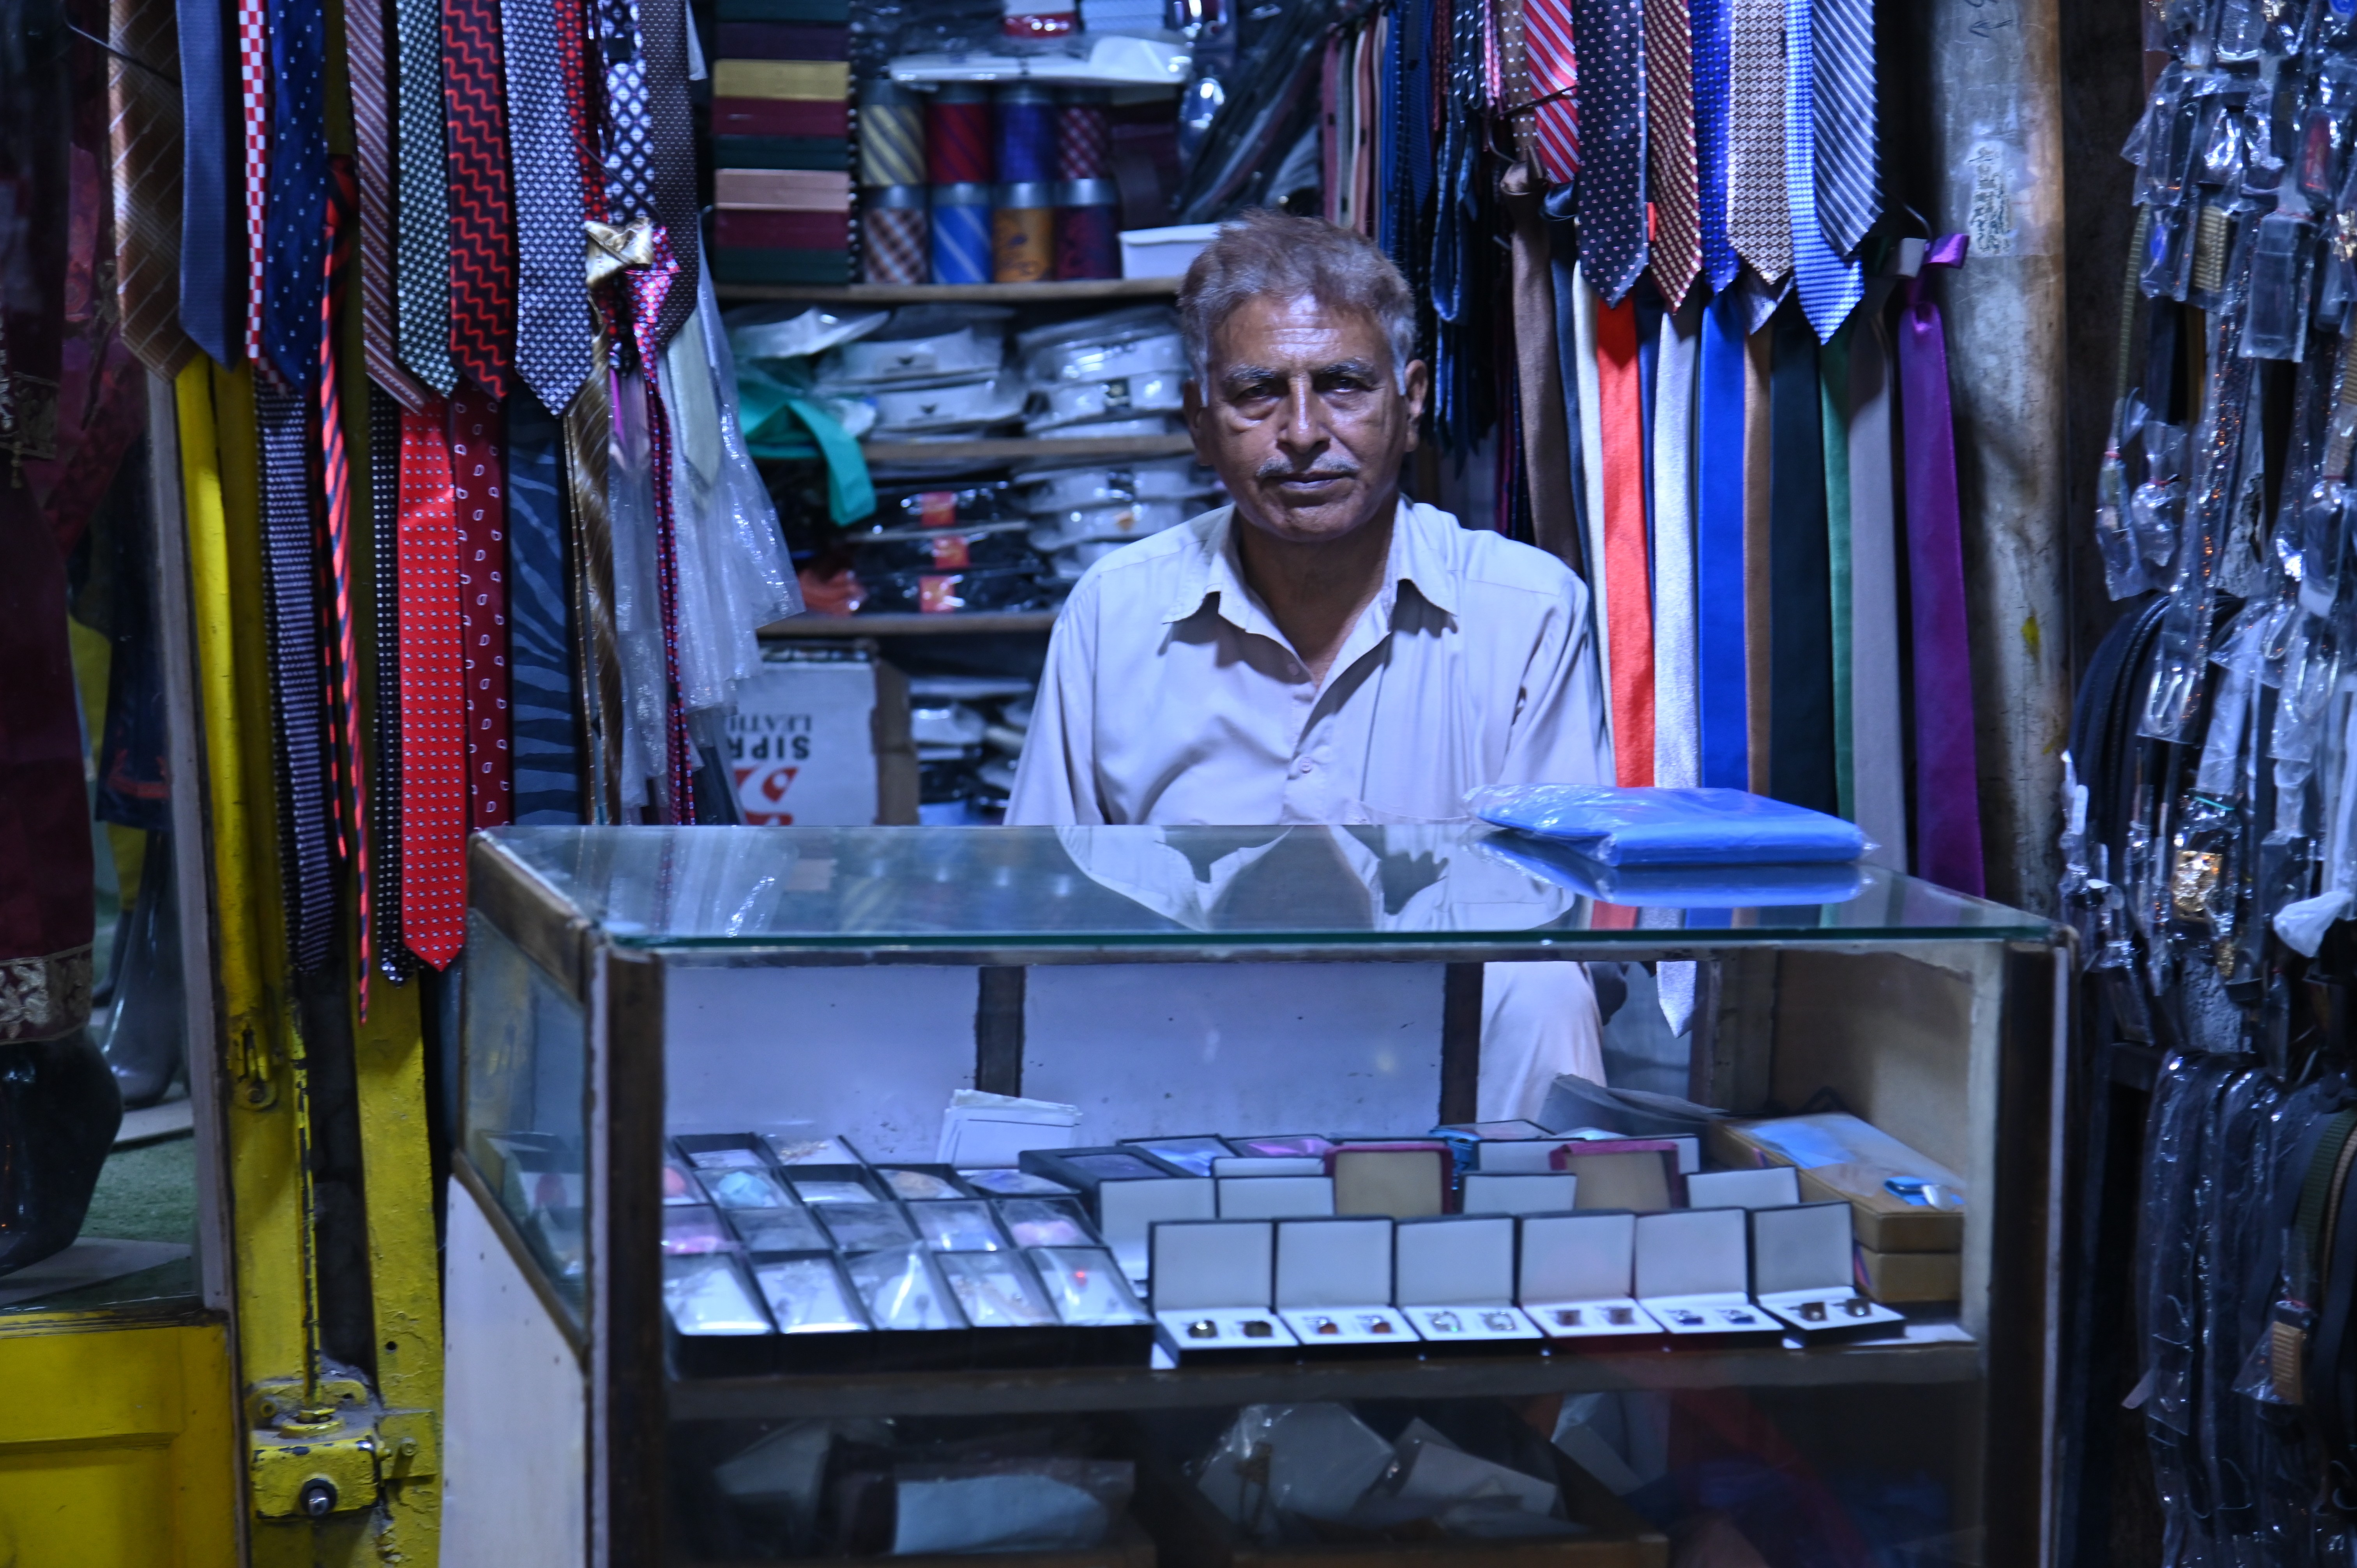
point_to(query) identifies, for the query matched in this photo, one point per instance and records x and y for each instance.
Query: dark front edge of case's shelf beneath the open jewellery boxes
(1439, 1378)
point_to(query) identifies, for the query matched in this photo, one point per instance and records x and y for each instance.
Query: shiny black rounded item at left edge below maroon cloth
(60, 1114)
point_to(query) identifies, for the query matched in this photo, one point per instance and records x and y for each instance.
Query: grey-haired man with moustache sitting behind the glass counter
(1323, 650)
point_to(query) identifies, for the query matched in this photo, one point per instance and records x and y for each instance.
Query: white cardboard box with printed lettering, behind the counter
(821, 742)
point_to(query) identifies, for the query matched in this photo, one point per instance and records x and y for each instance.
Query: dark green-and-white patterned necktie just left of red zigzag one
(423, 199)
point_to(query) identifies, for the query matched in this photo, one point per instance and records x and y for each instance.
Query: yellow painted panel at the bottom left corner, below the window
(119, 1449)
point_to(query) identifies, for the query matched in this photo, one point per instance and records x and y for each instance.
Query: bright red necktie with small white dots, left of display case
(433, 704)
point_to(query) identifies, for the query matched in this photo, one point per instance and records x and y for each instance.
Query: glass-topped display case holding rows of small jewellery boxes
(1121, 1197)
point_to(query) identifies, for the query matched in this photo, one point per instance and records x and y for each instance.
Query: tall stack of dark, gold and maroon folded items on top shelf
(781, 143)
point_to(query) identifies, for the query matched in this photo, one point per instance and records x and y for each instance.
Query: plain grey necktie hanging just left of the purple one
(1877, 652)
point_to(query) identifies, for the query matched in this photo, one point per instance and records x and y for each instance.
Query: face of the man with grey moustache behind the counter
(1302, 419)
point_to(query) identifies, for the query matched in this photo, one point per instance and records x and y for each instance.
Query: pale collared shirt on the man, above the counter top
(1170, 694)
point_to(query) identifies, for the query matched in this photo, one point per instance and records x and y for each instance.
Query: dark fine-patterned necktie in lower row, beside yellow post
(308, 815)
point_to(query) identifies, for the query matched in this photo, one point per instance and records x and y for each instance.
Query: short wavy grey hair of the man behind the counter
(1279, 256)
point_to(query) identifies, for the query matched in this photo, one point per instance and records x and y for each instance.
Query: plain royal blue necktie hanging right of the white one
(1719, 555)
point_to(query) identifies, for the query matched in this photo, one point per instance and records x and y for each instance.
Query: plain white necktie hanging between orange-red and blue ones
(1677, 746)
